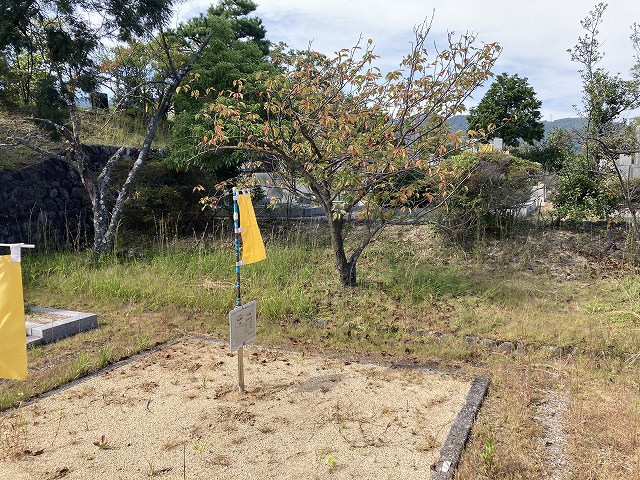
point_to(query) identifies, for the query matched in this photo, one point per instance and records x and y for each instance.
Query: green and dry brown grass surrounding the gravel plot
(416, 301)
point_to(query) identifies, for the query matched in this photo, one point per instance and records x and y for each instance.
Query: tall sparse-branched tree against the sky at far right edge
(606, 98)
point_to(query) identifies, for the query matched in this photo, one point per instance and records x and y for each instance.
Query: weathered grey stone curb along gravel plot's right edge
(451, 451)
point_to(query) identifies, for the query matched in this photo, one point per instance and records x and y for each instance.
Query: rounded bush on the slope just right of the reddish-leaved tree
(498, 185)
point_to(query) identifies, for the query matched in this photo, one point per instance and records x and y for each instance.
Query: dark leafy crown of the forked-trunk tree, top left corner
(62, 36)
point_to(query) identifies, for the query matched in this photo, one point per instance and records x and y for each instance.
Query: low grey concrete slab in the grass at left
(63, 323)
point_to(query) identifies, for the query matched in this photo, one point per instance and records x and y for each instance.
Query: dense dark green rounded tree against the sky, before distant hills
(511, 105)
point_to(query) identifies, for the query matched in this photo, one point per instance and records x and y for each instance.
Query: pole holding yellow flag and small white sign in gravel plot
(242, 319)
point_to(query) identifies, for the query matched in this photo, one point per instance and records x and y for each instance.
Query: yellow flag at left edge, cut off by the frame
(13, 336)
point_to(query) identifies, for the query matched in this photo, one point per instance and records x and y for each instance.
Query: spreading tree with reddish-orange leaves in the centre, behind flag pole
(346, 133)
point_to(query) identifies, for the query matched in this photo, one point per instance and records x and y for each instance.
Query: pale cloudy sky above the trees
(534, 35)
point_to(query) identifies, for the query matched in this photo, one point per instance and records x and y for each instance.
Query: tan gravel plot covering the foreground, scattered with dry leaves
(176, 413)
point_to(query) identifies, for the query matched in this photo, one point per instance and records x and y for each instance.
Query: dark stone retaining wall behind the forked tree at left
(46, 203)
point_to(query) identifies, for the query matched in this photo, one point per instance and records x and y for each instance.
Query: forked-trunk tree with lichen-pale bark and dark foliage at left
(69, 42)
